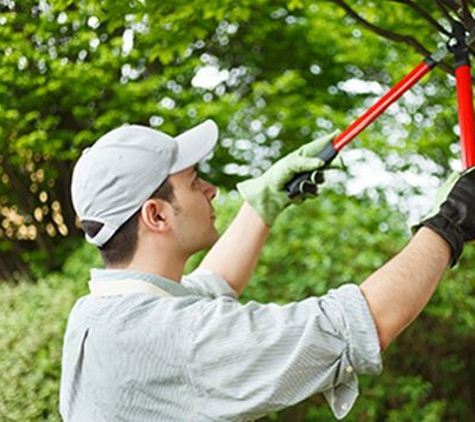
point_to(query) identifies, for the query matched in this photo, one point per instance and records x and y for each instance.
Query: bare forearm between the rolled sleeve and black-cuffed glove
(399, 290)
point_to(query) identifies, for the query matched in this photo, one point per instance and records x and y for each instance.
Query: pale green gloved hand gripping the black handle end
(266, 194)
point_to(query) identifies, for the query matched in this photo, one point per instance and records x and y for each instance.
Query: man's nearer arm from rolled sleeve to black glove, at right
(398, 291)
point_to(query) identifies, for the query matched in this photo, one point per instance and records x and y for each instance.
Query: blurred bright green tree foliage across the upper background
(73, 70)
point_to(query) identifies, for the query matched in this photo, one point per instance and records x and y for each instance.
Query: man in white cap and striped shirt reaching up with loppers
(149, 344)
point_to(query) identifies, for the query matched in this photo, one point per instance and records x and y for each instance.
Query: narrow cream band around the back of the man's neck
(172, 287)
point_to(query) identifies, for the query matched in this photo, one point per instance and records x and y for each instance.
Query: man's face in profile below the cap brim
(193, 215)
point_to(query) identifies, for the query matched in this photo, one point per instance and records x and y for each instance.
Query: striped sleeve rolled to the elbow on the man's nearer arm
(246, 361)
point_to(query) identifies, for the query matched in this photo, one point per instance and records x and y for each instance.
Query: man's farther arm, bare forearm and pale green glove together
(236, 253)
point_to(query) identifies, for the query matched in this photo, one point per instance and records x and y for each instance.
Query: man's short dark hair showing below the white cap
(120, 249)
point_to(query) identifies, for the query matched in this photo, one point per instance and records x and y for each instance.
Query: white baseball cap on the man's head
(114, 177)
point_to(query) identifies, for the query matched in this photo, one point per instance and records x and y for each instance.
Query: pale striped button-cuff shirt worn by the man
(200, 355)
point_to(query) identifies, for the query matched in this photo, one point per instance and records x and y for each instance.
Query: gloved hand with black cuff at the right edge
(453, 217)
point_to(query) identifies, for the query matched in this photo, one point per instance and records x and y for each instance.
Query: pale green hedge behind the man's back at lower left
(33, 320)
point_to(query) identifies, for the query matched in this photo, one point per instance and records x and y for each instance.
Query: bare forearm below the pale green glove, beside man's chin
(235, 254)
